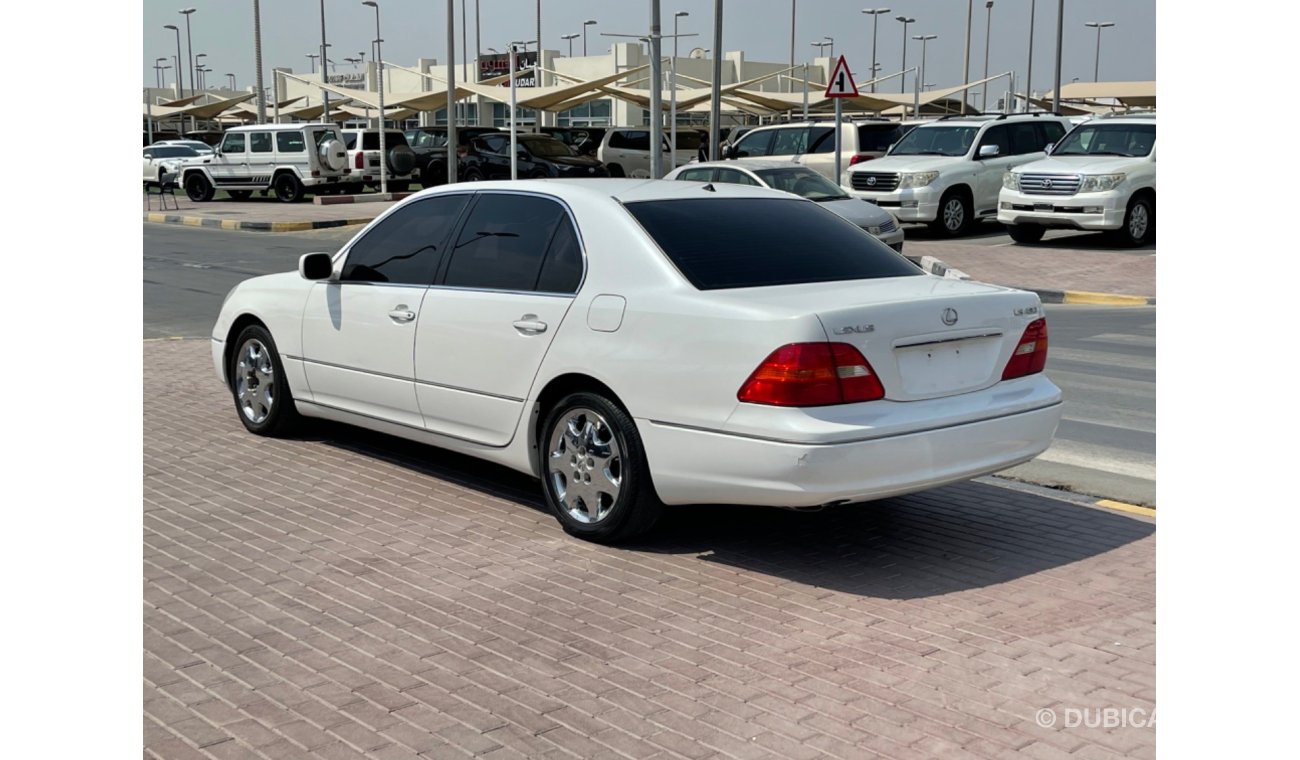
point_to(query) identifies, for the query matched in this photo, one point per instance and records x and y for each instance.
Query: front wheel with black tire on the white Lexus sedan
(263, 414)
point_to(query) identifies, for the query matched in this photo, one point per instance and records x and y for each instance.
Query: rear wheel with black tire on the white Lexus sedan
(635, 509)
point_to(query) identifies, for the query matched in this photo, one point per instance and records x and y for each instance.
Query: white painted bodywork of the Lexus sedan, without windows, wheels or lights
(675, 357)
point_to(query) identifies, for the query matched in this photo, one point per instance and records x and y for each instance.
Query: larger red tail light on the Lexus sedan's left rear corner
(813, 375)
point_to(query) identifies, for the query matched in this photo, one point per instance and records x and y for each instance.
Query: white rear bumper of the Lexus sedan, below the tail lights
(696, 467)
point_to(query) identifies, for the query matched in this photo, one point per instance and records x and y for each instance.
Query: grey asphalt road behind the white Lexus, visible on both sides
(1104, 359)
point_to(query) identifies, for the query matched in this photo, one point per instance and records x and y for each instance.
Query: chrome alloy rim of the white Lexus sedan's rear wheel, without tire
(586, 466)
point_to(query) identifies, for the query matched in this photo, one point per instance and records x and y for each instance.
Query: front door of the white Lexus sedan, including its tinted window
(359, 329)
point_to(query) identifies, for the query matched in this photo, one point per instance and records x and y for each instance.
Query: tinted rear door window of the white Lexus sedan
(504, 242)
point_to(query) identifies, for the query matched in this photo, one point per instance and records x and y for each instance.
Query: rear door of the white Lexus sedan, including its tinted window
(487, 327)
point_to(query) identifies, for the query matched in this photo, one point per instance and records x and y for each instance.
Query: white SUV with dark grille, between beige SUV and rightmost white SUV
(948, 172)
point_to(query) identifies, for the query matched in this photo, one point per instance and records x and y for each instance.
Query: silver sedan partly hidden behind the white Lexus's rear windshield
(804, 183)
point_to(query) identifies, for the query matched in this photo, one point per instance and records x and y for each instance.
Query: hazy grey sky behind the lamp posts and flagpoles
(413, 29)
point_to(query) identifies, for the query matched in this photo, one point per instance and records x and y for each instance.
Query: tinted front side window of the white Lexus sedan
(408, 246)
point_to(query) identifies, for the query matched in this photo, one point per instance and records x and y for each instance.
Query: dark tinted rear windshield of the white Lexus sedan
(760, 242)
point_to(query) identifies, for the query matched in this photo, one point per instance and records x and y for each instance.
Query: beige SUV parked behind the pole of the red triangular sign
(812, 144)
